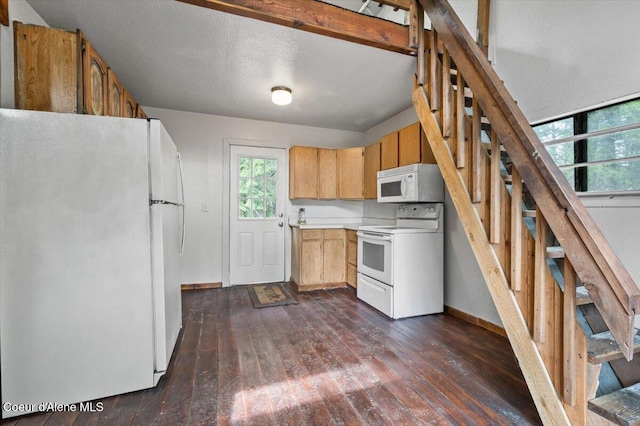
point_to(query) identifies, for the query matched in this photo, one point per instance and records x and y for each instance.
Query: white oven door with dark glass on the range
(375, 253)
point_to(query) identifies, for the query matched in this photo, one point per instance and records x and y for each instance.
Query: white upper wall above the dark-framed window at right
(560, 56)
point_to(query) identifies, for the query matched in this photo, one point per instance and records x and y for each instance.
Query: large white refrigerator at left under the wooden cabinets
(91, 238)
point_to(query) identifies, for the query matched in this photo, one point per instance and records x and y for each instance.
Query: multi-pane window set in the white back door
(257, 188)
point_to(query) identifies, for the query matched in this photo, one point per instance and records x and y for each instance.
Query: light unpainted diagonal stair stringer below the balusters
(538, 380)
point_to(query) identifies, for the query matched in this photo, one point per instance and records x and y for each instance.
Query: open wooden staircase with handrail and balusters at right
(566, 302)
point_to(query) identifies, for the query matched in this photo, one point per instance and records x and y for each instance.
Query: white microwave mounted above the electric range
(415, 183)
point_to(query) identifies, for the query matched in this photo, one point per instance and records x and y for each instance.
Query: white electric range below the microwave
(400, 268)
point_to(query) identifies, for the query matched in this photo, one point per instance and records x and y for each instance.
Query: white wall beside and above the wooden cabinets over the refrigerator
(19, 10)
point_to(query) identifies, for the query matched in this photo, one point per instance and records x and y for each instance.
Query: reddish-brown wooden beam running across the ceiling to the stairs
(320, 18)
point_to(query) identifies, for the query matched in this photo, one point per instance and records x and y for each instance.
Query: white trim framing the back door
(226, 204)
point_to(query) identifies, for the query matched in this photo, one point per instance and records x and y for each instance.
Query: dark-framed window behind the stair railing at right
(597, 150)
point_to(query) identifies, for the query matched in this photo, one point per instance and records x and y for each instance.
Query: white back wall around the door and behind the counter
(200, 139)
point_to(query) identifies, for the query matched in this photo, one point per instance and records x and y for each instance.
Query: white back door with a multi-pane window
(256, 214)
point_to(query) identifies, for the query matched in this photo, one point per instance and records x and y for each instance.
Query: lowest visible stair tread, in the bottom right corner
(621, 407)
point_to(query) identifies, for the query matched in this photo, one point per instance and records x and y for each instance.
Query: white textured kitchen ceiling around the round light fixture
(177, 56)
